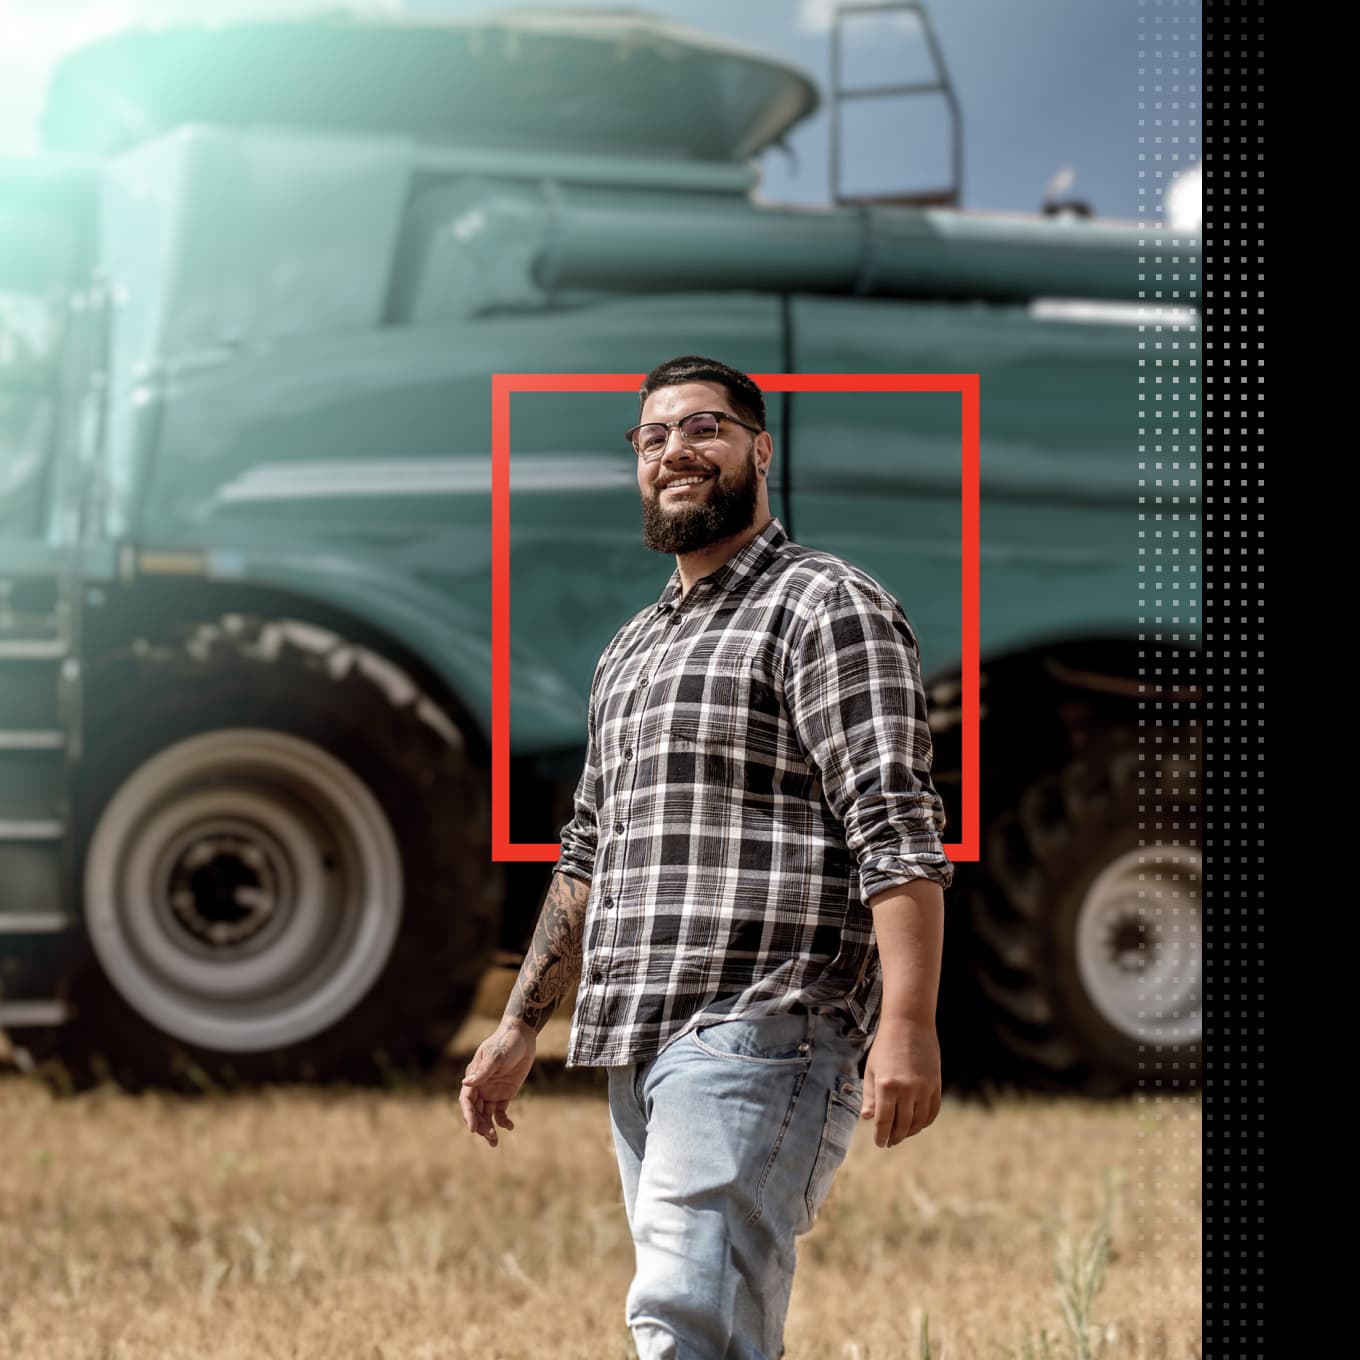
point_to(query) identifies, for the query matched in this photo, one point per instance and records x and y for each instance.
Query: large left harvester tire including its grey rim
(288, 870)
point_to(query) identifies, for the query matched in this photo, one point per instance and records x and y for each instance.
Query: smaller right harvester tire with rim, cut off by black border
(1087, 924)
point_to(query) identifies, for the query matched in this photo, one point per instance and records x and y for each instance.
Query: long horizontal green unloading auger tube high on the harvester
(478, 243)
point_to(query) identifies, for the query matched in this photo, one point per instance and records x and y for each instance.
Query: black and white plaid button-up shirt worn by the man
(758, 769)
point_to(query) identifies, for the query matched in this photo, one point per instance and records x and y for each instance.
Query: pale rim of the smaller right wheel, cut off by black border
(1139, 945)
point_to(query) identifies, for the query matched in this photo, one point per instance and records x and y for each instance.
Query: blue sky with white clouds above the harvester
(1047, 86)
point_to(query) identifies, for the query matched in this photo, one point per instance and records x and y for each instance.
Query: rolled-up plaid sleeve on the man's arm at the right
(857, 705)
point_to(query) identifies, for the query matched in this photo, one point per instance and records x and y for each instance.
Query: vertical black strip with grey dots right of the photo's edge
(1234, 678)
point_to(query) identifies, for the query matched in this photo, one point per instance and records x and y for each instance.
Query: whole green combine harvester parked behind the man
(252, 296)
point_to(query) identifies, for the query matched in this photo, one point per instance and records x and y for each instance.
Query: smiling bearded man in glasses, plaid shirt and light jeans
(750, 891)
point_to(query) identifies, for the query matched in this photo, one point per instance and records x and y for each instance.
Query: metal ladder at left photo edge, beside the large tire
(40, 727)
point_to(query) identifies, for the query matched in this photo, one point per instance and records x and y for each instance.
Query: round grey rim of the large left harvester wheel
(243, 890)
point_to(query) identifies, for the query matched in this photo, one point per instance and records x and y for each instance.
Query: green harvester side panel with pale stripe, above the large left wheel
(358, 473)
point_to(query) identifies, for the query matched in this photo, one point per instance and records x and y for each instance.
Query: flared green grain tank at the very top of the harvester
(566, 82)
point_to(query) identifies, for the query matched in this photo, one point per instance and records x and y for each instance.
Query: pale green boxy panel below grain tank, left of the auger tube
(213, 243)
